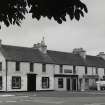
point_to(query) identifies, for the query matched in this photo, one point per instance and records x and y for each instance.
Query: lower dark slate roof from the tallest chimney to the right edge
(74, 59)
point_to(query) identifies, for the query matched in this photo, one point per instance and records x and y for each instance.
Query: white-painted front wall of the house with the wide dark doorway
(25, 69)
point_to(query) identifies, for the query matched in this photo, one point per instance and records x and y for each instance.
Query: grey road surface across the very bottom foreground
(55, 100)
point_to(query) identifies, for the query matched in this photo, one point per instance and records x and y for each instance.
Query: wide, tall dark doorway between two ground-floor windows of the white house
(31, 82)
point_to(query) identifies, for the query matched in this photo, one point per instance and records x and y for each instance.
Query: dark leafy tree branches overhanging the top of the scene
(13, 11)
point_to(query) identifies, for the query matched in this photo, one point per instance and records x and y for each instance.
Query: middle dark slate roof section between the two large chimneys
(65, 58)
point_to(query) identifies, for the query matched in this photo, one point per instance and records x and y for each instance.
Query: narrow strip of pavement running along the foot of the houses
(55, 94)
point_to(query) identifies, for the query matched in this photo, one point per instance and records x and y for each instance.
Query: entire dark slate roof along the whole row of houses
(14, 53)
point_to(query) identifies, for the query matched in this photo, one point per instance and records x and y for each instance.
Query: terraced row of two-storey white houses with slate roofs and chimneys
(36, 68)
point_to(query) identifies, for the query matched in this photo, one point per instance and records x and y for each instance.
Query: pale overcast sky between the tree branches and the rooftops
(88, 33)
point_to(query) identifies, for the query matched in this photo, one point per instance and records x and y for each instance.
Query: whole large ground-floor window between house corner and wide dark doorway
(16, 82)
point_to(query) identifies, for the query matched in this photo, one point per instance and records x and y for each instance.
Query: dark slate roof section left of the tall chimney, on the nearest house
(14, 53)
